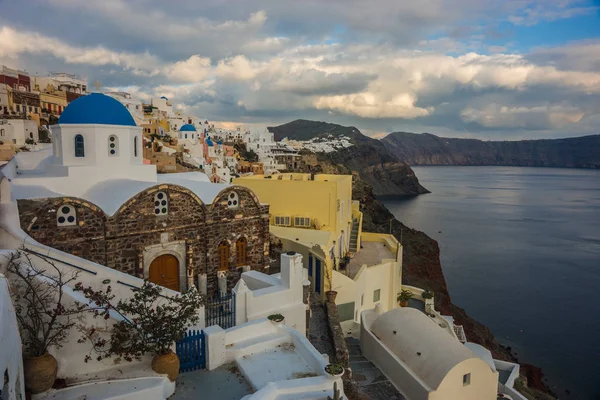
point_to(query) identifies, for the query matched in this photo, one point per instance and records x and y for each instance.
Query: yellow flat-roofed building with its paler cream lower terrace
(315, 216)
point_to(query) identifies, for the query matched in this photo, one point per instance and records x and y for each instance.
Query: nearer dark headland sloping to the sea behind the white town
(368, 157)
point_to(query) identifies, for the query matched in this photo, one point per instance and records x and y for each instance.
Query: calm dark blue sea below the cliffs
(520, 249)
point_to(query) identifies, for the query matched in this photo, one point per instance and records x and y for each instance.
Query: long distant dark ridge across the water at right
(428, 149)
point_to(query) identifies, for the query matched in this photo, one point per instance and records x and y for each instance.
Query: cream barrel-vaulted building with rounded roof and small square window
(422, 360)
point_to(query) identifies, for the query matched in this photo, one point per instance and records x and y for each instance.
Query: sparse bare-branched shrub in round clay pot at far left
(43, 316)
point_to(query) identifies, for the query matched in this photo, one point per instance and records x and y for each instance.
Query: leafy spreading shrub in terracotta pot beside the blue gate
(147, 323)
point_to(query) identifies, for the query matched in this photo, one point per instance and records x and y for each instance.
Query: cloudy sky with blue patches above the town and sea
(471, 68)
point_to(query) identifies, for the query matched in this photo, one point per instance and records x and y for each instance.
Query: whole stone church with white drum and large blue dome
(93, 197)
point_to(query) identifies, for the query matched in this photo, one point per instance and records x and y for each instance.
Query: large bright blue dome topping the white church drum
(96, 108)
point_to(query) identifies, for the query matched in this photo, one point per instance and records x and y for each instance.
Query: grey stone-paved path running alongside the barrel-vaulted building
(371, 380)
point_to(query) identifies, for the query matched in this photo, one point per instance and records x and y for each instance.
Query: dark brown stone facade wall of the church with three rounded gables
(192, 231)
